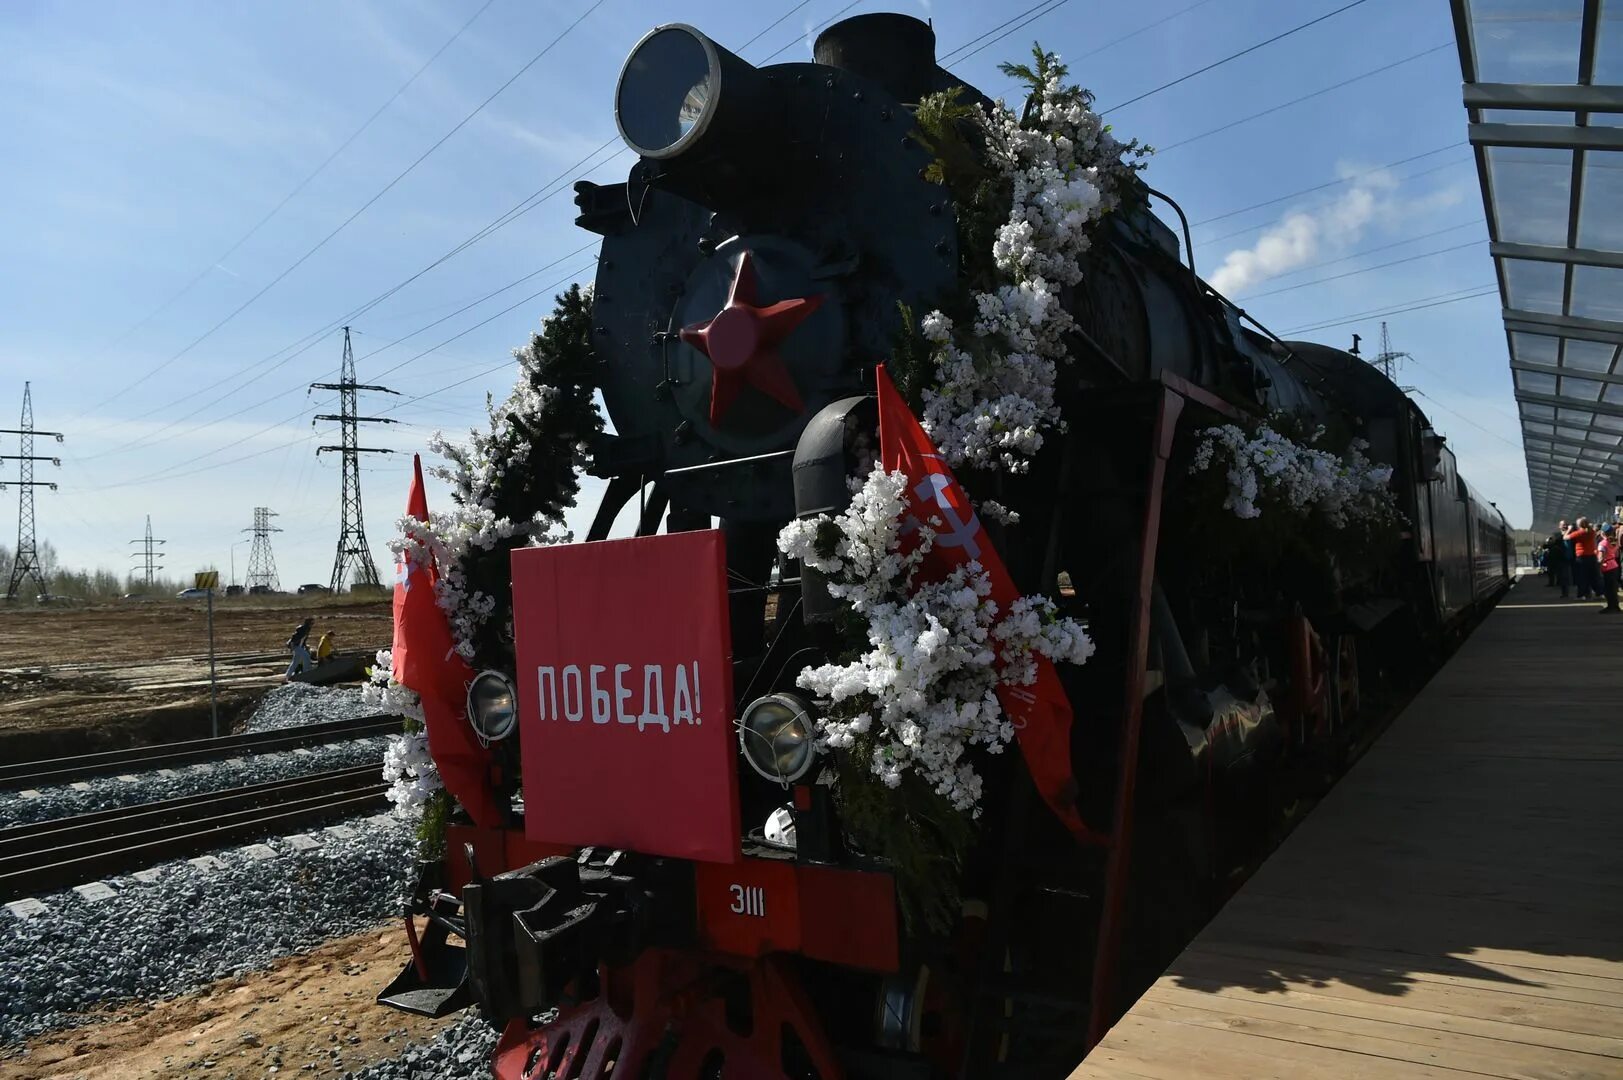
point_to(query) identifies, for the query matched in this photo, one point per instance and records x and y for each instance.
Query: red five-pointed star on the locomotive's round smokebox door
(743, 343)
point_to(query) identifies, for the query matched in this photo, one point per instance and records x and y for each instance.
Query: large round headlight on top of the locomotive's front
(678, 89)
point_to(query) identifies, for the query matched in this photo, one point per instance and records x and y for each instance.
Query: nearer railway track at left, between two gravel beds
(46, 857)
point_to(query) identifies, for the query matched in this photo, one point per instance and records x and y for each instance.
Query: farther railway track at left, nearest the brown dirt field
(61, 771)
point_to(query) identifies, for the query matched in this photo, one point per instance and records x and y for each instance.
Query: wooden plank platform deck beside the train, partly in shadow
(1453, 907)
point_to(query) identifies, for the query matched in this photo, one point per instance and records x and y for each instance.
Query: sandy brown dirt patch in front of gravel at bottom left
(309, 1016)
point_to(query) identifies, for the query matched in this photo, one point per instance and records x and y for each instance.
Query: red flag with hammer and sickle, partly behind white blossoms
(1041, 712)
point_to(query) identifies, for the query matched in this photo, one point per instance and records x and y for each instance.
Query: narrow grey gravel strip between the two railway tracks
(105, 793)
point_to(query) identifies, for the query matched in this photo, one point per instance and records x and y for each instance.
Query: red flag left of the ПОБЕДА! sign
(426, 662)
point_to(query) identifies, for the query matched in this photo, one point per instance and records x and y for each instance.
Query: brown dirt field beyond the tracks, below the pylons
(127, 673)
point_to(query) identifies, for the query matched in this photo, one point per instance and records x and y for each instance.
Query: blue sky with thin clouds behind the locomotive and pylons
(191, 217)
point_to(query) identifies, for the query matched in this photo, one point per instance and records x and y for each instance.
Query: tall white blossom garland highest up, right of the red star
(994, 389)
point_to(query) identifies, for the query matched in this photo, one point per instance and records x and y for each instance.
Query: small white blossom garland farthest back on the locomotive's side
(1345, 490)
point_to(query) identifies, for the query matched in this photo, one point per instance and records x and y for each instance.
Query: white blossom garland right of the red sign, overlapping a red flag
(928, 688)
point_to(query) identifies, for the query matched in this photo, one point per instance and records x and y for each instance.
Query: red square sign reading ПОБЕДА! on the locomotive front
(626, 696)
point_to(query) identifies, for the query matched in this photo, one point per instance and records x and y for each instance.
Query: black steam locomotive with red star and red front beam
(756, 267)
